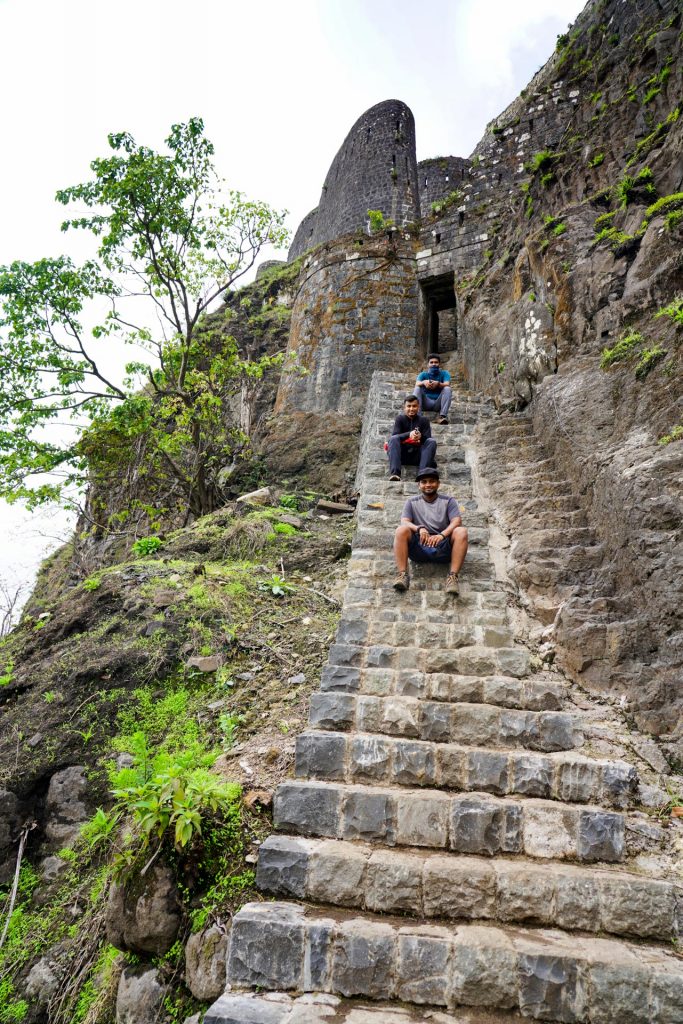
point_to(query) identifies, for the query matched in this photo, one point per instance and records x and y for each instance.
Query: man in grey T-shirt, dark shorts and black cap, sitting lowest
(431, 531)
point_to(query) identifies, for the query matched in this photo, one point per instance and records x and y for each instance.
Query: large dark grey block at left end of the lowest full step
(268, 947)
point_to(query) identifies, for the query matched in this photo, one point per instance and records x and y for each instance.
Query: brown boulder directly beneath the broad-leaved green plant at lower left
(144, 915)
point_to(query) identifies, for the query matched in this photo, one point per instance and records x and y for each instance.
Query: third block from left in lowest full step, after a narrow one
(364, 960)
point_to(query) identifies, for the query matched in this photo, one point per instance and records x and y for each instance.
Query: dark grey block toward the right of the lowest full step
(552, 989)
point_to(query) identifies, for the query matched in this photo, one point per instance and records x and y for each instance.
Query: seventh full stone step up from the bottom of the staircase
(466, 661)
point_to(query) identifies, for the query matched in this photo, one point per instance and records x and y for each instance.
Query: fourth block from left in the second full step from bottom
(459, 887)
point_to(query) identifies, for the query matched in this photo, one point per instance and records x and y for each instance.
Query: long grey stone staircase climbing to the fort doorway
(455, 847)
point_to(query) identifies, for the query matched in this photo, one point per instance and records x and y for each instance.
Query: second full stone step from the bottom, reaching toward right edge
(448, 886)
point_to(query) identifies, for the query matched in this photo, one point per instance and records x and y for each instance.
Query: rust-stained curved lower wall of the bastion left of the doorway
(356, 312)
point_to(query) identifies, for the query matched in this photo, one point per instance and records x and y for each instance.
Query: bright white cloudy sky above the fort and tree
(279, 87)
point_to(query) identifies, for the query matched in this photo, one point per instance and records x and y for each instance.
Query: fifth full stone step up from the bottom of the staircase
(468, 724)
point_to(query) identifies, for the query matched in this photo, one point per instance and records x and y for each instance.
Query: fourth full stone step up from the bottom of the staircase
(363, 757)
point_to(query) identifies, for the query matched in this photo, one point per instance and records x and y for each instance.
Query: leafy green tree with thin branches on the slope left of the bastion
(170, 245)
